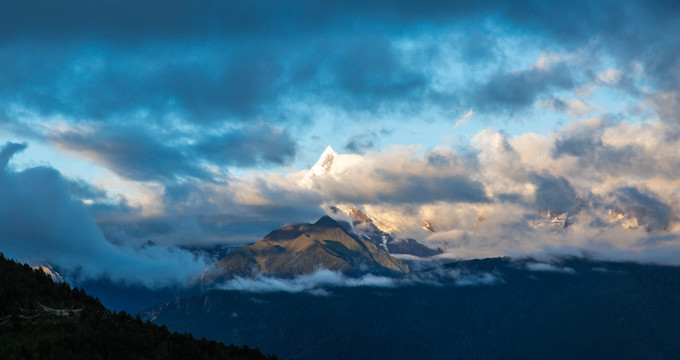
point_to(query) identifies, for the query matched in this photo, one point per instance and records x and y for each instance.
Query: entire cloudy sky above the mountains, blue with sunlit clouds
(131, 129)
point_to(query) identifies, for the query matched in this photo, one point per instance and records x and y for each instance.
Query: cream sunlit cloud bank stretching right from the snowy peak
(616, 193)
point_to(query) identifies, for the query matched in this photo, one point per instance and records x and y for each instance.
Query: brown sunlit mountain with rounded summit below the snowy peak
(302, 249)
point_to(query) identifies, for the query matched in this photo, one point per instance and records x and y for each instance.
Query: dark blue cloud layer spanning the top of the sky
(213, 61)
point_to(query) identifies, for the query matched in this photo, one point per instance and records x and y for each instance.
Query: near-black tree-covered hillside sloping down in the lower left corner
(43, 320)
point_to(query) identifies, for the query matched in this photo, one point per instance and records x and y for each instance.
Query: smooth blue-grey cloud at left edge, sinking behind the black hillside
(40, 221)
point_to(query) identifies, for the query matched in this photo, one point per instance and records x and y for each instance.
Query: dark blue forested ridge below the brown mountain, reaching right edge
(484, 309)
